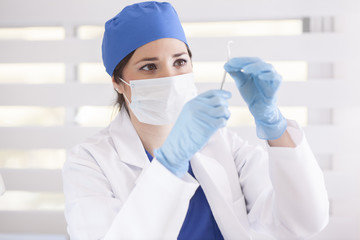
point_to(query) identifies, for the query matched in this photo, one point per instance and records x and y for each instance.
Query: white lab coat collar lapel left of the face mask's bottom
(127, 143)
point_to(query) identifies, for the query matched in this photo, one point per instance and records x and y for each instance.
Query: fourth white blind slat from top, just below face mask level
(68, 136)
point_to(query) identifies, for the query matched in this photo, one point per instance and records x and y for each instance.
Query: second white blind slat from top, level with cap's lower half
(302, 47)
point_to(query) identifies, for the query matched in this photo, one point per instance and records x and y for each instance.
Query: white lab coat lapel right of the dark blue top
(215, 183)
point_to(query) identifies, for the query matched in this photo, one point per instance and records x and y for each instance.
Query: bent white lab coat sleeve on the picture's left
(154, 209)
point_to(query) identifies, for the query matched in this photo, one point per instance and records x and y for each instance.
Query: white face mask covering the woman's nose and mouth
(158, 101)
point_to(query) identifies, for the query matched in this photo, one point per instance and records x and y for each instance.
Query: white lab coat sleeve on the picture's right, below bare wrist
(284, 189)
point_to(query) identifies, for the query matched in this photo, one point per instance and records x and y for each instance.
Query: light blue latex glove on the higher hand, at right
(258, 83)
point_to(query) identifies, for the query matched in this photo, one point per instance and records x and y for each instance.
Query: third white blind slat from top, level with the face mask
(290, 94)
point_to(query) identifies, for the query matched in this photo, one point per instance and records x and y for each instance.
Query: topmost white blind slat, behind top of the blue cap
(97, 12)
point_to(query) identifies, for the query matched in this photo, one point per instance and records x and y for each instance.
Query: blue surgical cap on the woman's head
(135, 26)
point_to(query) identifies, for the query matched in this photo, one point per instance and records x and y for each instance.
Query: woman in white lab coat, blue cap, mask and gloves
(167, 168)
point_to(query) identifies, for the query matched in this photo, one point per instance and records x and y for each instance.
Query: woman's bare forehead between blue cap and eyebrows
(164, 46)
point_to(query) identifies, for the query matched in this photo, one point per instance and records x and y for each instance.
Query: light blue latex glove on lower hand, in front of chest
(199, 119)
